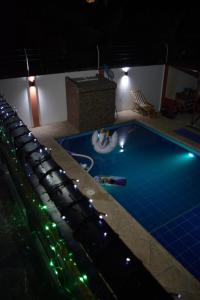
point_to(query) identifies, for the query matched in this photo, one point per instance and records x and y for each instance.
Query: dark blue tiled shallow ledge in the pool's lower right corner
(182, 238)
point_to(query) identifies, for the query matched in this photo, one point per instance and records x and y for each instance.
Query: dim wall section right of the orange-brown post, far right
(178, 80)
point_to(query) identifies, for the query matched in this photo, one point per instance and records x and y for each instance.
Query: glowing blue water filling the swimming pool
(163, 185)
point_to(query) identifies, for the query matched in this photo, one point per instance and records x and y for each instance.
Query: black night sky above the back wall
(76, 26)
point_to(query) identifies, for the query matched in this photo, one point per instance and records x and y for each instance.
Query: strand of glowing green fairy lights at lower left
(59, 259)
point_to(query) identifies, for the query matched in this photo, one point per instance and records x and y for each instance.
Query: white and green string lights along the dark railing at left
(50, 234)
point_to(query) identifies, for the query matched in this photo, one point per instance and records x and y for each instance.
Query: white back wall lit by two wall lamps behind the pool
(52, 93)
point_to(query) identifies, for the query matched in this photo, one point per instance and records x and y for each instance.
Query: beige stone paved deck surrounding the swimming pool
(163, 266)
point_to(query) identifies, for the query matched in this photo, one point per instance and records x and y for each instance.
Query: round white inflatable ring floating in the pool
(103, 141)
